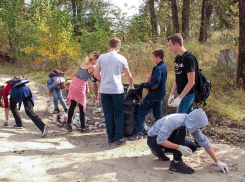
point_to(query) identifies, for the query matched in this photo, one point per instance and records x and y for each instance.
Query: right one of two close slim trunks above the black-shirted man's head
(185, 19)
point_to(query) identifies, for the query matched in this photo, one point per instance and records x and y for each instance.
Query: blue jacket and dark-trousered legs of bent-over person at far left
(22, 93)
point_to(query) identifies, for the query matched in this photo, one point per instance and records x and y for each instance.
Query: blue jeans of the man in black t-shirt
(186, 104)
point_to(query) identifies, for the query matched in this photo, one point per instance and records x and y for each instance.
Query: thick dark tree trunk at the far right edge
(240, 70)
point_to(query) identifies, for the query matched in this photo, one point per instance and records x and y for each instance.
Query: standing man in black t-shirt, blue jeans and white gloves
(184, 76)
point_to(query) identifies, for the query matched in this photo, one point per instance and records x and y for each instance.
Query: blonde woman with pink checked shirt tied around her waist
(78, 89)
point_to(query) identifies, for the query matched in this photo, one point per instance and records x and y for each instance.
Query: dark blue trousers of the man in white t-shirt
(113, 110)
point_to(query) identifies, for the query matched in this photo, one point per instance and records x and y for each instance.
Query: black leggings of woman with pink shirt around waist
(71, 112)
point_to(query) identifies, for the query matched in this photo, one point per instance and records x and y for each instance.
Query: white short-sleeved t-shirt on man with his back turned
(112, 65)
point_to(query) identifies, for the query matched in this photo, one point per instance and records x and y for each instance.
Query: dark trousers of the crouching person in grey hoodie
(177, 137)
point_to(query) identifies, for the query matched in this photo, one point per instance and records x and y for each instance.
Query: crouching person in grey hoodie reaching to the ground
(169, 134)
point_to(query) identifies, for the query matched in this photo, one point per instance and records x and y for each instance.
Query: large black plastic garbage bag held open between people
(130, 105)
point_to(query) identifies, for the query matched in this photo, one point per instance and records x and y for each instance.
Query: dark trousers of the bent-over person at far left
(28, 104)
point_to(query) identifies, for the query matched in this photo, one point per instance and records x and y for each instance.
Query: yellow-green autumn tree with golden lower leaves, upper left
(53, 37)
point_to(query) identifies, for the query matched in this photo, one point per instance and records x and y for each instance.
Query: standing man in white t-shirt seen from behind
(111, 65)
